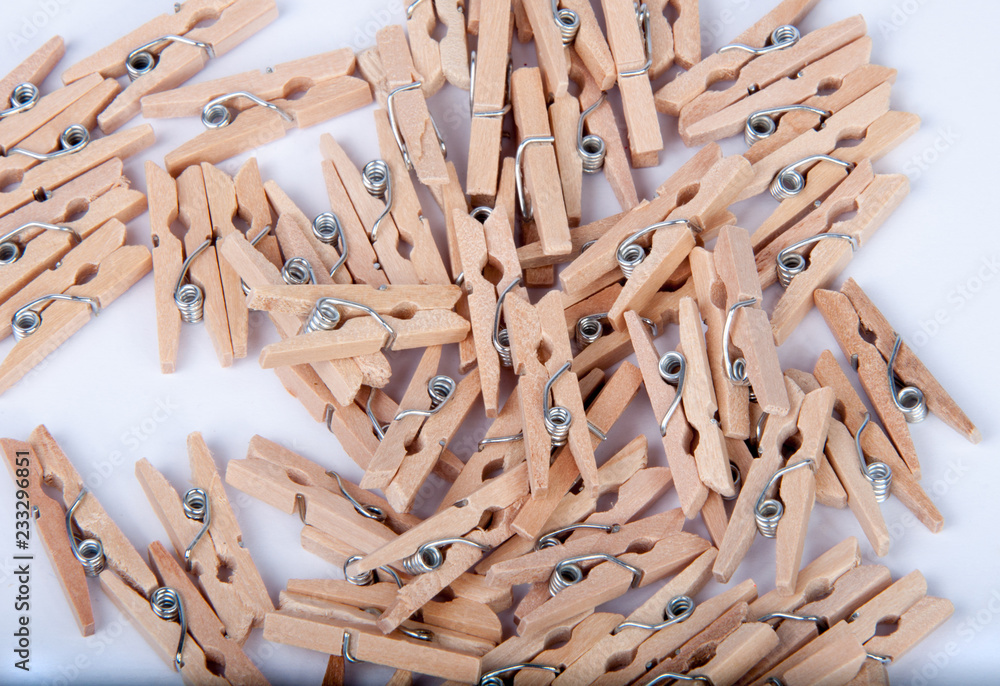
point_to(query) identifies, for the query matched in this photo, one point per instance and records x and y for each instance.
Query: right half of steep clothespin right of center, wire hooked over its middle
(750, 330)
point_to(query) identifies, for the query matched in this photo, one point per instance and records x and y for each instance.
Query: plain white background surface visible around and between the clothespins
(936, 258)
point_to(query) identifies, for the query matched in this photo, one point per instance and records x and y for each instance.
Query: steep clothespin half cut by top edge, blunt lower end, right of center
(630, 38)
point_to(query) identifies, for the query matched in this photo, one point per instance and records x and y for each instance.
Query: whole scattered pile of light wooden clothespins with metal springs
(425, 596)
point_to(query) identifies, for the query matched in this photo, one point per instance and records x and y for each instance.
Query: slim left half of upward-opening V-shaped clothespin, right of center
(690, 489)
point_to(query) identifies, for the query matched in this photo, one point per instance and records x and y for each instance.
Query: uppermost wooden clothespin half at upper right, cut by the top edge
(720, 66)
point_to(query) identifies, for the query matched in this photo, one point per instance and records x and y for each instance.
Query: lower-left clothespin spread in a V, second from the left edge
(206, 537)
